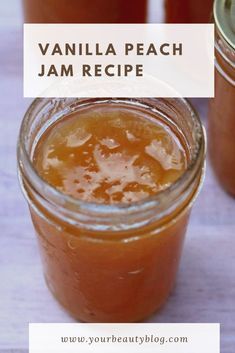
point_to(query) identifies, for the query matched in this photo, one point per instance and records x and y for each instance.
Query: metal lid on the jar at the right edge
(224, 15)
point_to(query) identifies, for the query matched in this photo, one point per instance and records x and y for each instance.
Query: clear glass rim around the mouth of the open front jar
(24, 161)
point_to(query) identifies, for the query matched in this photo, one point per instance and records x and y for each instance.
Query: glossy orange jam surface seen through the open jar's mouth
(110, 155)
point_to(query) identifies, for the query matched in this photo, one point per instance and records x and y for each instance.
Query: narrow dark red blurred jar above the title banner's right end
(188, 11)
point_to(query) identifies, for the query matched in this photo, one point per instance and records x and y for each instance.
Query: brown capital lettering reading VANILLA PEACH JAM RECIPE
(99, 70)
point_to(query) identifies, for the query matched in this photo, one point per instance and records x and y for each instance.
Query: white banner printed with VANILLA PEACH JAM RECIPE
(118, 60)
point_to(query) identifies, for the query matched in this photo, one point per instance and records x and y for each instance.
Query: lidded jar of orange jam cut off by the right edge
(221, 124)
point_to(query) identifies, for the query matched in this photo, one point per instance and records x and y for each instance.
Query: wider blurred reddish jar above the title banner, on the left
(85, 11)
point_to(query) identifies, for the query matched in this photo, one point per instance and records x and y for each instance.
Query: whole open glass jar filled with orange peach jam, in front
(110, 184)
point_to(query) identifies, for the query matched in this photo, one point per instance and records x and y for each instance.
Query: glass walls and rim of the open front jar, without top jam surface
(111, 263)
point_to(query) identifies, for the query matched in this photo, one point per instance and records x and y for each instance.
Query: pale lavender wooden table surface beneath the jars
(205, 290)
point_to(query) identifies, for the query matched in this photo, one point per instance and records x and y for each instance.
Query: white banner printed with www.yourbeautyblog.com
(128, 338)
